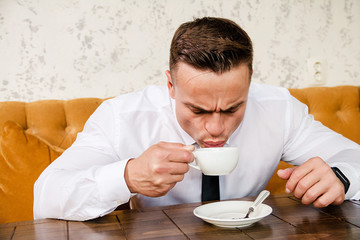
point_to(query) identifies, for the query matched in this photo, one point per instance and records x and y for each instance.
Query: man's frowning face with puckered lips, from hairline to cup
(209, 106)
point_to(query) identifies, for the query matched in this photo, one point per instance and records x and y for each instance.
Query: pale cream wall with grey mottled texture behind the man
(79, 48)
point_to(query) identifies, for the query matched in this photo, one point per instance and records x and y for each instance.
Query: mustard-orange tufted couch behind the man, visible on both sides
(34, 134)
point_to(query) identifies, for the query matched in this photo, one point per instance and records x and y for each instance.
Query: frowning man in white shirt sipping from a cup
(137, 146)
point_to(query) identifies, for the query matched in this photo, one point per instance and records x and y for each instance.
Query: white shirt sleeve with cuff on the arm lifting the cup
(87, 180)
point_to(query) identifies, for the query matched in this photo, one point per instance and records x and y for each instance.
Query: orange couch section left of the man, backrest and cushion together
(33, 135)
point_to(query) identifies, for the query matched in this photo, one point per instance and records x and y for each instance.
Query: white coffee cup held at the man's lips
(216, 161)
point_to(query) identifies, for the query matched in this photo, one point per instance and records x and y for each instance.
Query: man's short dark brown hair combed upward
(211, 43)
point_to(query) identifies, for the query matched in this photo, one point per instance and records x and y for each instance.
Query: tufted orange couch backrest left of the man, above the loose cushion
(56, 121)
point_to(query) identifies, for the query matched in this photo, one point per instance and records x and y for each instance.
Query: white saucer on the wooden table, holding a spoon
(230, 214)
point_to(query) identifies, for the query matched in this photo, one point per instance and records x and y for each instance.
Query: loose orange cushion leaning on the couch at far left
(24, 157)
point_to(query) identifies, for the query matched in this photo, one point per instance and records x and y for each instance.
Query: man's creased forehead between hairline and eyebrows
(210, 89)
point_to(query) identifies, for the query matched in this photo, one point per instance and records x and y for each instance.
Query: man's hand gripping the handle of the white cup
(158, 169)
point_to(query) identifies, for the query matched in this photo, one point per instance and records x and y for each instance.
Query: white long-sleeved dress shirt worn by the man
(87, 180)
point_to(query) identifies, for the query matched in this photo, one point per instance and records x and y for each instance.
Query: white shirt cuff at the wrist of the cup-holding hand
(111, 183)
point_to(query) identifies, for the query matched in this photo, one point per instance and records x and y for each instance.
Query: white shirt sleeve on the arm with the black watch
(306, 138)
